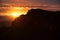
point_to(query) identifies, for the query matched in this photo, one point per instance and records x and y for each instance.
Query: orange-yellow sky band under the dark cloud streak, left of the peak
(14, 12)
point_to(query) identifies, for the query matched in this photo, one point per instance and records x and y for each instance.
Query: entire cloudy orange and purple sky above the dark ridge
(14, 7)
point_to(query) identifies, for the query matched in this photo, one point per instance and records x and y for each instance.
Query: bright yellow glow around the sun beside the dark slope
(16, 12)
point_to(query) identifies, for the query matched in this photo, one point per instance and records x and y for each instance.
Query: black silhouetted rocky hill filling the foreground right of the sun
(36, 25)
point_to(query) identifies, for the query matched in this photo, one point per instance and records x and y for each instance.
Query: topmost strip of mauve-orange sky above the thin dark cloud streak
(31, 2)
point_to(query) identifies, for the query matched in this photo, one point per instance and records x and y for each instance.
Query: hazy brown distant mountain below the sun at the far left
(5, 21)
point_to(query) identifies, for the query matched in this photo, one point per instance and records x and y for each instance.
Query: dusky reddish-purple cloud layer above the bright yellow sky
(45, 4)
